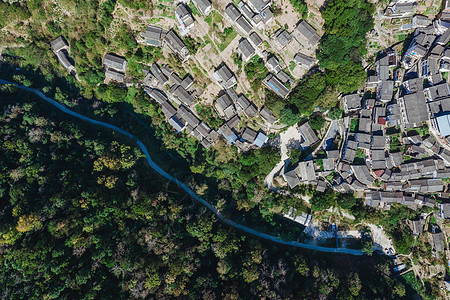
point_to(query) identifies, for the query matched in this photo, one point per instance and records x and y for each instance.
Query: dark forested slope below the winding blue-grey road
(83, 216)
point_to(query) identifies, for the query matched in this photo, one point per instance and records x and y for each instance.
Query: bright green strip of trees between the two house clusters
(341, 49)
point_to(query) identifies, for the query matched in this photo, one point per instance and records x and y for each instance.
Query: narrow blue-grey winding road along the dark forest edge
(166, 175)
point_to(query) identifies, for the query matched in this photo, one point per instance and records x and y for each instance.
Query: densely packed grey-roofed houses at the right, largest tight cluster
(396, 108)
